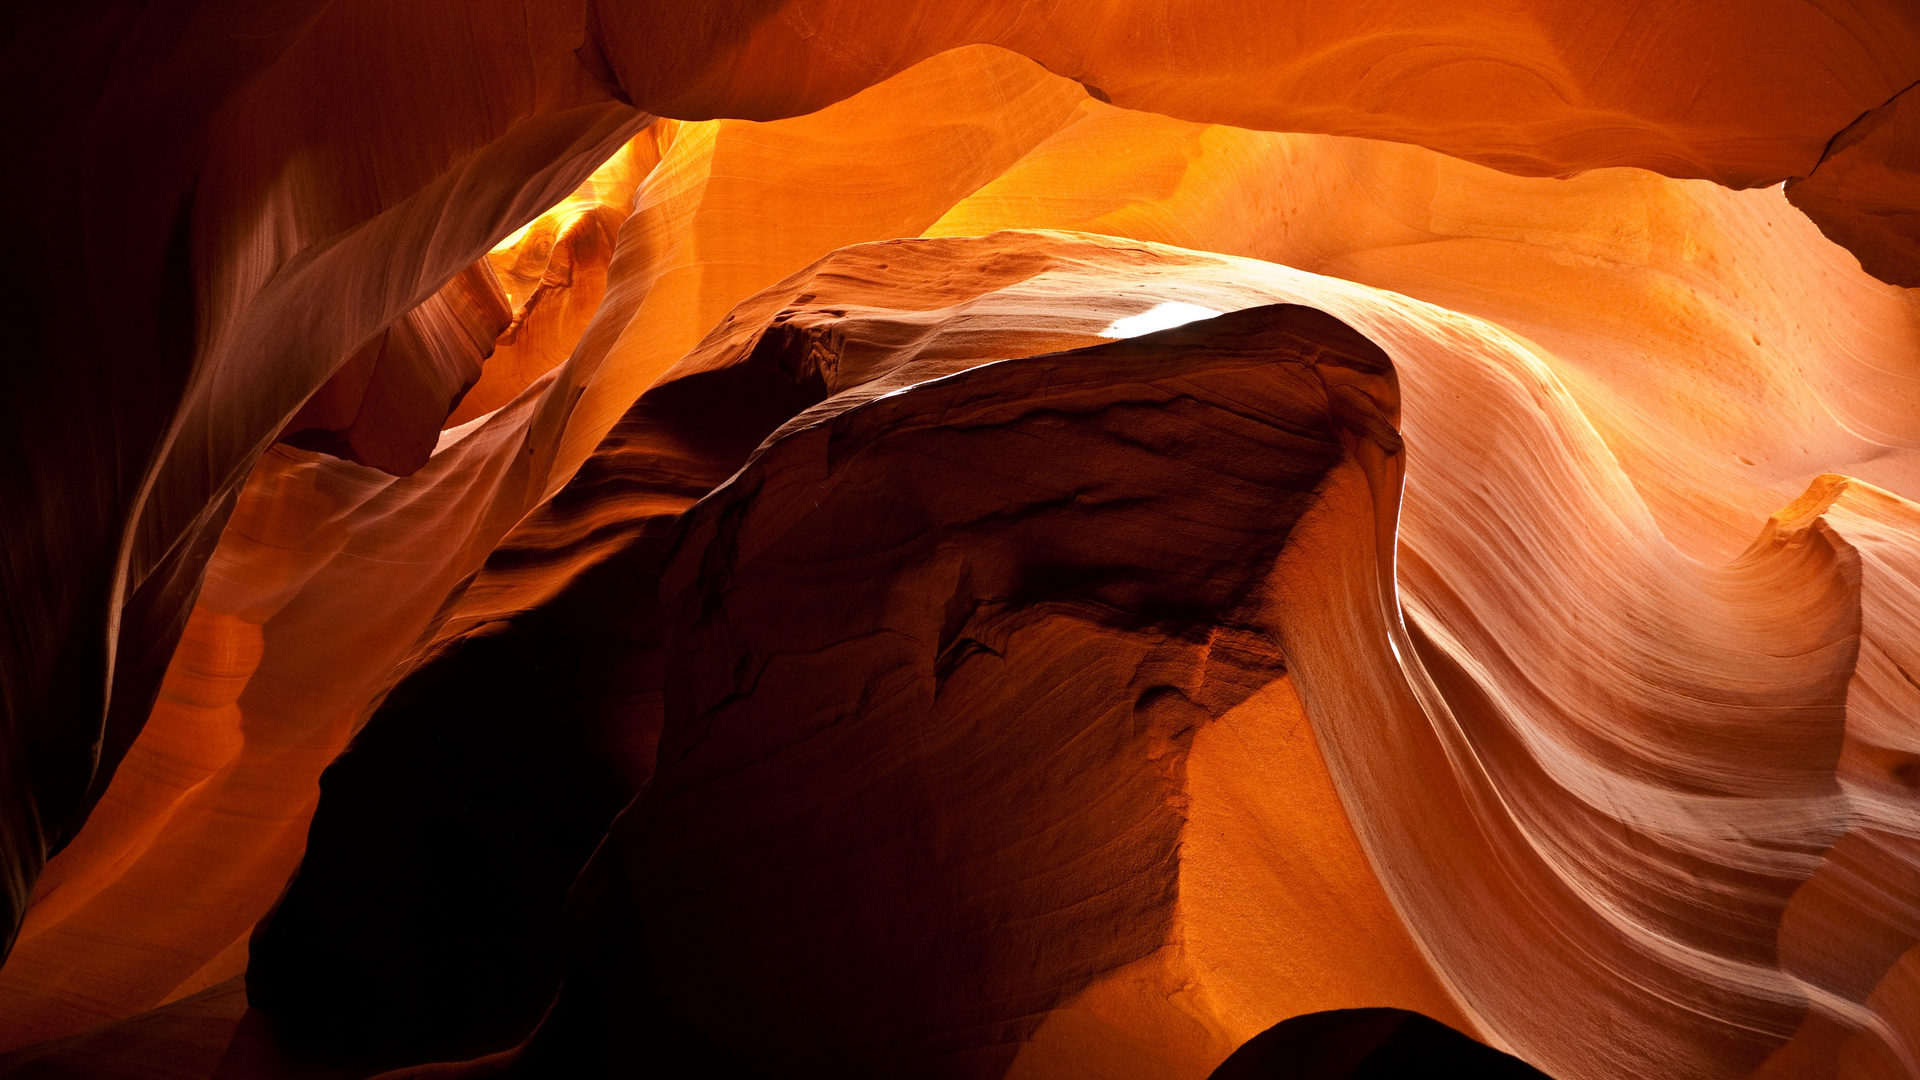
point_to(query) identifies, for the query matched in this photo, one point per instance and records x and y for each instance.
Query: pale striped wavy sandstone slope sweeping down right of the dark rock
(1618, 856)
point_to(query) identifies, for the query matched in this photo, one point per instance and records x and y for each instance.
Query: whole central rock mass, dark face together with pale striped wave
(1527, 829)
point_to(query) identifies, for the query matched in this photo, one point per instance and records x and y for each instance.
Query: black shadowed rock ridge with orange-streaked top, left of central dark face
(481, 820)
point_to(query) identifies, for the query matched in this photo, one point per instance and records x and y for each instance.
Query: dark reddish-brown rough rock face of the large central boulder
(990, 652)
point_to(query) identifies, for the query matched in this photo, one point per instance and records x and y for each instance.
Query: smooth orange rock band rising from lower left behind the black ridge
(379, 556)
